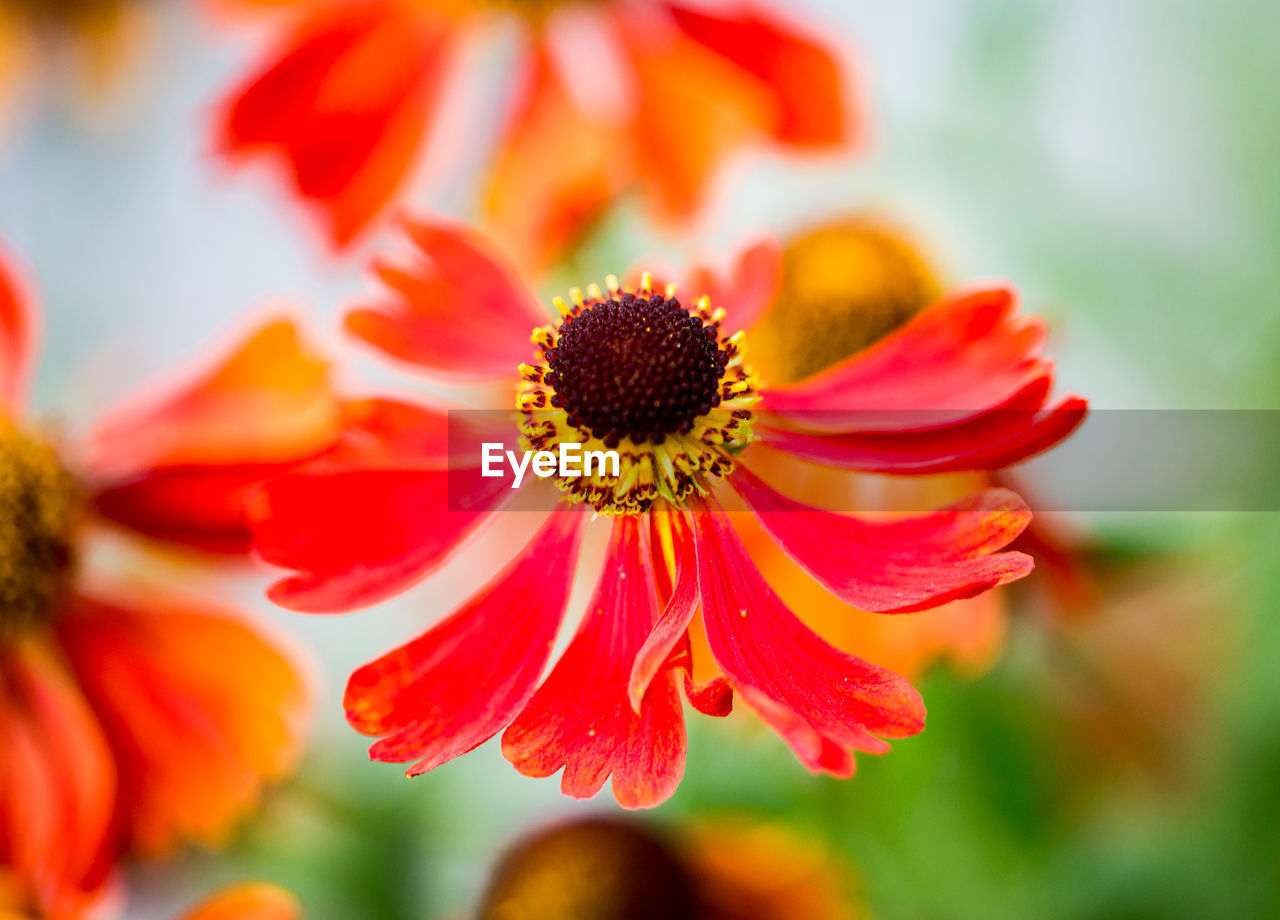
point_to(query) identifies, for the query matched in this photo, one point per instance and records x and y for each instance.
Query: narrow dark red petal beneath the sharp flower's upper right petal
(991, 442)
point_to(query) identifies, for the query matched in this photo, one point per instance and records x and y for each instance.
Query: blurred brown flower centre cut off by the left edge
(38, 509)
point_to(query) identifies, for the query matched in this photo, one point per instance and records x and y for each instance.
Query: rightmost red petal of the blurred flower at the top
(802, 76)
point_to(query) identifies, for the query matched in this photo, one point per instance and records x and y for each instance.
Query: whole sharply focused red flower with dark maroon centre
(676, 579)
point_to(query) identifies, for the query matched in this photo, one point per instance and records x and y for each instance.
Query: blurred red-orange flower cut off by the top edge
(636, 93)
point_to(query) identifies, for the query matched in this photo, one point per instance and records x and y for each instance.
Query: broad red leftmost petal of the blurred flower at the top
(345, 103)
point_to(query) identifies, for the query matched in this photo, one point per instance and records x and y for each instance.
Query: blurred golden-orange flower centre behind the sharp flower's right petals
(844, 287)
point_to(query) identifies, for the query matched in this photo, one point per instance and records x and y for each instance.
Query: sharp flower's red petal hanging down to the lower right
(821, 701)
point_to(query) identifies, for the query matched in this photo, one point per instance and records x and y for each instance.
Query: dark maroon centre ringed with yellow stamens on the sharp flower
(642, 374)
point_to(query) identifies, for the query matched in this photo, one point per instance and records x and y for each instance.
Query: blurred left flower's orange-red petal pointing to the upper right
(180, 464)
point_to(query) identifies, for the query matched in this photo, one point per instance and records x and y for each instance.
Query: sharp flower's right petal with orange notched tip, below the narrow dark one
(898, 566)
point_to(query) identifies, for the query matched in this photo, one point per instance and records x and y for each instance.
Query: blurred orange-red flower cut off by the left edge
(132, 717)
